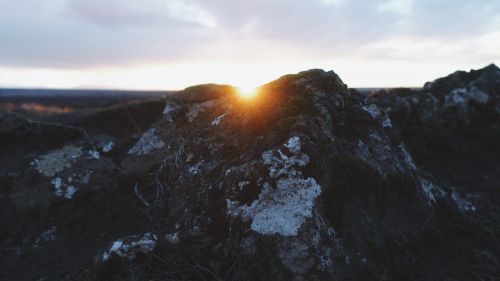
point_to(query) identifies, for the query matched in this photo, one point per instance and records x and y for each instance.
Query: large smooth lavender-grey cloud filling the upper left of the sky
(73, 34)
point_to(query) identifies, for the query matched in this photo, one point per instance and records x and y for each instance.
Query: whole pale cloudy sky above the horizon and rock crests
(172, 44)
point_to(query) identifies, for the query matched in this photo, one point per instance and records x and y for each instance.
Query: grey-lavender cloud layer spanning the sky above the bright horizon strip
(79, 34)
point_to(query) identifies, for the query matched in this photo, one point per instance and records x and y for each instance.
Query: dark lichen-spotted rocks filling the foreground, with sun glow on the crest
(305, 181)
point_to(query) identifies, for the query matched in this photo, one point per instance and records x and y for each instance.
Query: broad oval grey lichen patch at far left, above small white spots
(56, 161)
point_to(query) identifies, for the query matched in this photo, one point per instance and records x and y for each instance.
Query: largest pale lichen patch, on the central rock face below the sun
(282, 210)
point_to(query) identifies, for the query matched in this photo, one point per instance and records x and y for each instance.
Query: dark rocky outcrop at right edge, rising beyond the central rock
(450, 127)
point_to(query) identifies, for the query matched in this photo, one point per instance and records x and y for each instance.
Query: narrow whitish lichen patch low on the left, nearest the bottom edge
(130, 247)
